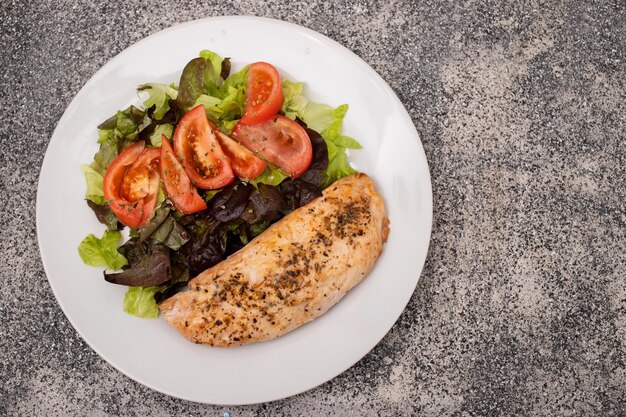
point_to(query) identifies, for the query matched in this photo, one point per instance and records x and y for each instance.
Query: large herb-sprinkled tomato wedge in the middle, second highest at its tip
(201, 155)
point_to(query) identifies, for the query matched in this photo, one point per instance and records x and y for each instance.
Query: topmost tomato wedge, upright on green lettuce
(264, 95)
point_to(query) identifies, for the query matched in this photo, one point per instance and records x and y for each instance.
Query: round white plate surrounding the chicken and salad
(150, 351)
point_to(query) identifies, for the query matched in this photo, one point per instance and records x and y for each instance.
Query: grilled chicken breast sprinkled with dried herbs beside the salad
(290, 274)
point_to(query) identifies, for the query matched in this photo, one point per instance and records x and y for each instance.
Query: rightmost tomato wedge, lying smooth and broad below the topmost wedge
(280, 141)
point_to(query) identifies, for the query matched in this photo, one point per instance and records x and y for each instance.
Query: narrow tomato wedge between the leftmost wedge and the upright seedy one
(178, 187)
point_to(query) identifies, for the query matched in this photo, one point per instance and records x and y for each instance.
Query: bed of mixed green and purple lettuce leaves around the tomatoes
(159, 259)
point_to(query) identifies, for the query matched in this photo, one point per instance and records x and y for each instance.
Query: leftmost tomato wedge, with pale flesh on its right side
(131, 184)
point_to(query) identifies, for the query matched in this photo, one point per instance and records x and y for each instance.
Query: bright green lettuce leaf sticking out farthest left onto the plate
(102, 252)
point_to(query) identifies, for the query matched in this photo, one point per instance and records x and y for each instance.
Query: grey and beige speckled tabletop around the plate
(521, 308)
